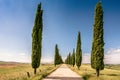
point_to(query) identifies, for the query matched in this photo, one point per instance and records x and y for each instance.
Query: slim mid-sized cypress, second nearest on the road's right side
(78, 52)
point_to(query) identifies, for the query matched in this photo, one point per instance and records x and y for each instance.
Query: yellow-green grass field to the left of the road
(18, 71)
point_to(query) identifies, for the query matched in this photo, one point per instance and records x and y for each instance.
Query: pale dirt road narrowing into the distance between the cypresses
(63, 73)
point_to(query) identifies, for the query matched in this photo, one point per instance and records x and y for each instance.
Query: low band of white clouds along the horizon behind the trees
(112, 56)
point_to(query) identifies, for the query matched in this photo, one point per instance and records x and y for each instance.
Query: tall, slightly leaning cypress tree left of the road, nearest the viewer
(37, 39)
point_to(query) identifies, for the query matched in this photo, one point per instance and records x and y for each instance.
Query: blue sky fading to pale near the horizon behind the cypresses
(62, 20)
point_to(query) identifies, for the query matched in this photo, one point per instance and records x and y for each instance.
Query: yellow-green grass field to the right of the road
(109, 73)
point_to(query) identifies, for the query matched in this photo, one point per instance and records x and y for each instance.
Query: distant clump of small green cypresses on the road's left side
(57, 57)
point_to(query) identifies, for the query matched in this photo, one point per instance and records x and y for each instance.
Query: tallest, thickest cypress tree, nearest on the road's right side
(97, 53)
